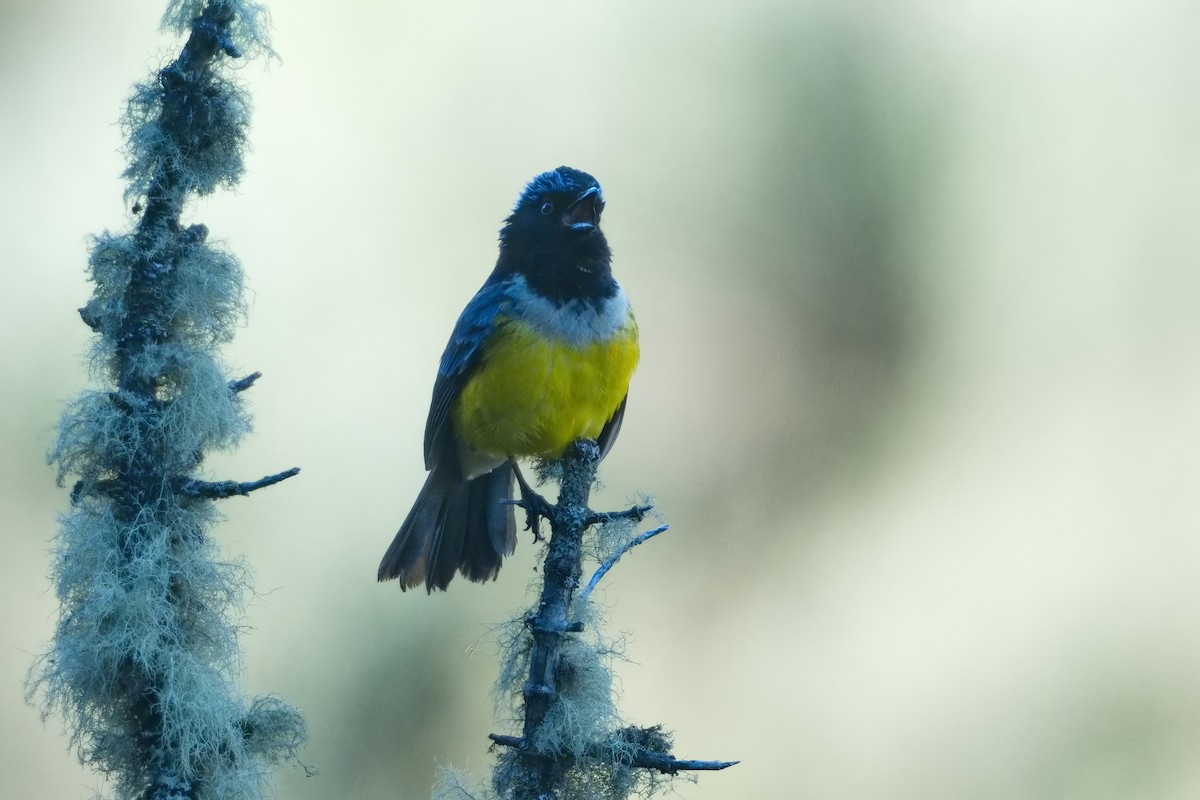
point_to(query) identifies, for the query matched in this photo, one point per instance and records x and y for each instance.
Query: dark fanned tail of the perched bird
(454, 526)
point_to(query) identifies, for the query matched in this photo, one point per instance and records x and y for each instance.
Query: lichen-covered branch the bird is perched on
(573, 745)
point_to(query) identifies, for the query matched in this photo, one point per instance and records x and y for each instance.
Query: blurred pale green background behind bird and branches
(919, 291)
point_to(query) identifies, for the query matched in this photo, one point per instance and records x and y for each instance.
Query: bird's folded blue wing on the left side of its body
(459, 360)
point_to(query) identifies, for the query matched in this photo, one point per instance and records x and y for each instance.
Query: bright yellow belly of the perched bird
(533, 396)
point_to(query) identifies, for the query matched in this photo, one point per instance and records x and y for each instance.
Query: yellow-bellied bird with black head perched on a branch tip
(542, 356)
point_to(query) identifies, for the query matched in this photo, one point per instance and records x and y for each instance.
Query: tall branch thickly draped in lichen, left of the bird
(145, 659)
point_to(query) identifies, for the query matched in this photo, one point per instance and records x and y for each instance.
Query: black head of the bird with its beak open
(554, 238)
